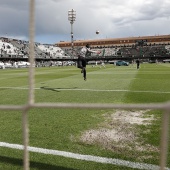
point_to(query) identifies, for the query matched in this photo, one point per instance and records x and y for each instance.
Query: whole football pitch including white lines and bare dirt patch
(86, 139)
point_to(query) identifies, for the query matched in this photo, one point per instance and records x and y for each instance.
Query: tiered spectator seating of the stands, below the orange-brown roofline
(11, 49)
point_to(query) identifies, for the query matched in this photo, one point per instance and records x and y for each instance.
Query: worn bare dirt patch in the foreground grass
(119, 132)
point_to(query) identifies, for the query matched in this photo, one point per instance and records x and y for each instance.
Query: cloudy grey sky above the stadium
(112, 18)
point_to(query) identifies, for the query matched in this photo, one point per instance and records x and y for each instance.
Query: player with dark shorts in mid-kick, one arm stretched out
(81, 62)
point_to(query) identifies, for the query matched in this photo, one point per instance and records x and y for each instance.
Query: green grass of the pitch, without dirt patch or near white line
(60, 129)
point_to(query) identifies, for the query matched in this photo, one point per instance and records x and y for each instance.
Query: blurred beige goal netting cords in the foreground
(31, 104)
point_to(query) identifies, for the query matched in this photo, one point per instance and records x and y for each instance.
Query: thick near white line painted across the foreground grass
(98, 159)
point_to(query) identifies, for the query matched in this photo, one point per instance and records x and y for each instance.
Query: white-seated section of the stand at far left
(20, 49)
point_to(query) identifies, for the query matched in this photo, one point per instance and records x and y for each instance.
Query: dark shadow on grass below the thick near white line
(41, 166)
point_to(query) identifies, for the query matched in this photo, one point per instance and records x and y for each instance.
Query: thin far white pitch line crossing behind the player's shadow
(98, 90)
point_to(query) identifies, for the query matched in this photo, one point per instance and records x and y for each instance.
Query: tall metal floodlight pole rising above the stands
(72, 18)
